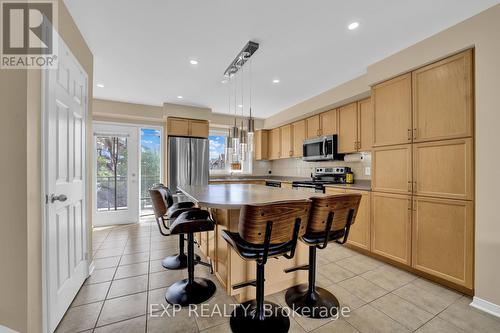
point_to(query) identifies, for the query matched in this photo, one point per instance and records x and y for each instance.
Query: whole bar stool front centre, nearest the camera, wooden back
(265, 231)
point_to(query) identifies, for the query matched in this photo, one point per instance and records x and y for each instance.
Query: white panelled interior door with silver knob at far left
(65, 227)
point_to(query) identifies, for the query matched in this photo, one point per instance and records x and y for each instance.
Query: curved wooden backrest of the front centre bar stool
(283, 216)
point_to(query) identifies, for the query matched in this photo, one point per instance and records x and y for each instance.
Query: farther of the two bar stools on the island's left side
(170, 213)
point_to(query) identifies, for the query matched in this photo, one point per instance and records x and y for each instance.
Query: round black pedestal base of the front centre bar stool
(244, 319)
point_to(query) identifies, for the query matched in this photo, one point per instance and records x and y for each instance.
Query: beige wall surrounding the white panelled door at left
(21, 192)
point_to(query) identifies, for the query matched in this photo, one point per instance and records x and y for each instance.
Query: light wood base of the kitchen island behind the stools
(231, 269)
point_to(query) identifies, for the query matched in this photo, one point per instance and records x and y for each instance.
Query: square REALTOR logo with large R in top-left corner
(28, 34)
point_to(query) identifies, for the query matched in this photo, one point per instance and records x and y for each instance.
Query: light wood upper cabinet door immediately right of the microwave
(348, 128)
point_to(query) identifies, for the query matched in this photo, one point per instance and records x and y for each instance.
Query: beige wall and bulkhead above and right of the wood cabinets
(481, 32)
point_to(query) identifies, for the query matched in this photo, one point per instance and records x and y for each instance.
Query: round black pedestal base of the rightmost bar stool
(320, 304)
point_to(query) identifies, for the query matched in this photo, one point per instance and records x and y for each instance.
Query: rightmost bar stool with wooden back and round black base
(330, 220)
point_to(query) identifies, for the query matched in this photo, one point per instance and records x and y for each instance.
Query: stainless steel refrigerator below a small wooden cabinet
(187, 162)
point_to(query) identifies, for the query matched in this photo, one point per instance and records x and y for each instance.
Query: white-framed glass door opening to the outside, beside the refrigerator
(116, 164)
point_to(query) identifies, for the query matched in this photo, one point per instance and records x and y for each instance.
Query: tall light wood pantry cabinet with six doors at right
(423, 169)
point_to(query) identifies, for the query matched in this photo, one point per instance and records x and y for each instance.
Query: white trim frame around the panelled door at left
(44, 76)
